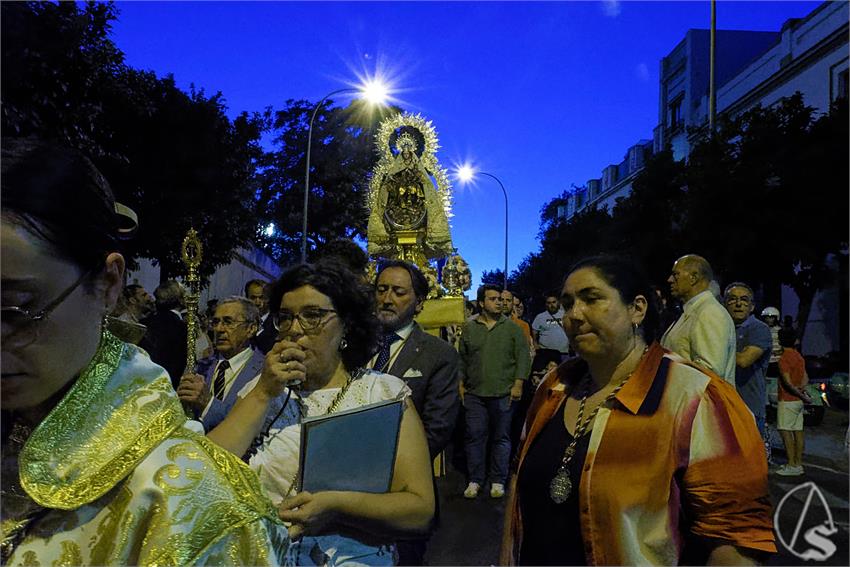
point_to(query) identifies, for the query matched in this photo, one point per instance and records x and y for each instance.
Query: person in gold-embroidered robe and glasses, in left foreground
(99, 464)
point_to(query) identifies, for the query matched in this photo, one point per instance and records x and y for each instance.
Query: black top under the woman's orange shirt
(551, 533)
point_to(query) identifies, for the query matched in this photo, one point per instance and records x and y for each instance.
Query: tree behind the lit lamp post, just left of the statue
(342, 158)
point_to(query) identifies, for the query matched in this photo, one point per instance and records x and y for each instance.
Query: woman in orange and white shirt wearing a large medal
(630, 455)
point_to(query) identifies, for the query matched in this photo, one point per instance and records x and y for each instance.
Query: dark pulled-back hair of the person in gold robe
(58, 195)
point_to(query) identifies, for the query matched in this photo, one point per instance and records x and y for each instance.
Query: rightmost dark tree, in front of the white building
(767, 197)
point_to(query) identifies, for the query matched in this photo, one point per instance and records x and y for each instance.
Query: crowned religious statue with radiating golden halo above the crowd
(409, 197)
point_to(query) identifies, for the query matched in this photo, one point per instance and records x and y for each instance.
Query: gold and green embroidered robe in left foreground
(127, 480)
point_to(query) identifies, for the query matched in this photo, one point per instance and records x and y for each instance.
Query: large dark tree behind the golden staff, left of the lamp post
(180, 162)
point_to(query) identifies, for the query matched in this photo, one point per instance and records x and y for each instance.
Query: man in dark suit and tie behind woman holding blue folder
(426, 363)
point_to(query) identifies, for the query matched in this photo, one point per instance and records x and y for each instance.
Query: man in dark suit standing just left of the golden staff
(165, 339)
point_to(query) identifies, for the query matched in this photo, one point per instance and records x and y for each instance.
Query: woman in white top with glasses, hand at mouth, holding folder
(327, 330)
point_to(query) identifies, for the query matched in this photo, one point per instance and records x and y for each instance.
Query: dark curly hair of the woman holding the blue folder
(353, 300)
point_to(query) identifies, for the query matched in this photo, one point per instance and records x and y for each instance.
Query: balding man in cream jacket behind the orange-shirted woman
(705, 333)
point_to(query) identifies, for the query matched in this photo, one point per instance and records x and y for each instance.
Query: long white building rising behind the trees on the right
(809, 55)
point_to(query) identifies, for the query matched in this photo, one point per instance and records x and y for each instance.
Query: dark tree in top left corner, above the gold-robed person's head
(58, 66)
